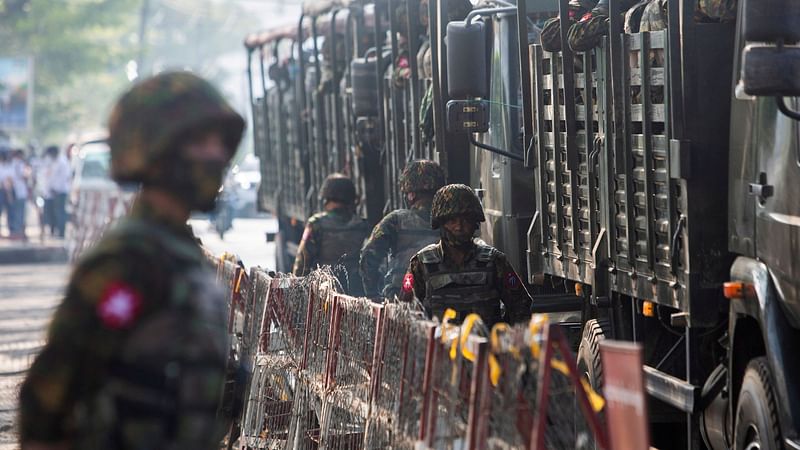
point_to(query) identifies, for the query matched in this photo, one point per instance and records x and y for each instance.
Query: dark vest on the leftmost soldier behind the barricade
(340, 244)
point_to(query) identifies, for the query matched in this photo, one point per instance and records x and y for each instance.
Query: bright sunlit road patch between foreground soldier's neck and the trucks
(247, 239)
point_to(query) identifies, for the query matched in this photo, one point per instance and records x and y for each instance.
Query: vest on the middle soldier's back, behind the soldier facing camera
(414, 232)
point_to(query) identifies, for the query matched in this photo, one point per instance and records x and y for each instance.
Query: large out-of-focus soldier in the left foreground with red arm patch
(136, 353)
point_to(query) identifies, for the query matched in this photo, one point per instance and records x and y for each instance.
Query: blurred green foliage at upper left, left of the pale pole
(79, 49)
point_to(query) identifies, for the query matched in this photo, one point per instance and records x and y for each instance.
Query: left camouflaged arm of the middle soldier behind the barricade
(374, 253)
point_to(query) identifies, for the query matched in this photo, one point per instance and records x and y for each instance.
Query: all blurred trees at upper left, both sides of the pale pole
(81, 49)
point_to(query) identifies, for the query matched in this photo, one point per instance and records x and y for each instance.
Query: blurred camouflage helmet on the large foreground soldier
(149, 119)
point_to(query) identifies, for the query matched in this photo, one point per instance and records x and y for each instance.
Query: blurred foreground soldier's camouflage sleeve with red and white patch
(104, 299)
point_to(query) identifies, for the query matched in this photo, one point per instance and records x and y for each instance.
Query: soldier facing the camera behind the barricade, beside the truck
(459, 273)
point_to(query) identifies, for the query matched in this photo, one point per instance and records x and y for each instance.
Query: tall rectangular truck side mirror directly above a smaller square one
(466, 60)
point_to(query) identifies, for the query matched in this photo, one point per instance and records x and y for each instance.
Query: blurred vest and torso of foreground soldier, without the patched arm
(164, 385)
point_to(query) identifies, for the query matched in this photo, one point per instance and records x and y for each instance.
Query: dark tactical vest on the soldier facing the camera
(471, 289)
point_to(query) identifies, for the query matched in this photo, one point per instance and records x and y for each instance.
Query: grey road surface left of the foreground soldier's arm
(28, 296)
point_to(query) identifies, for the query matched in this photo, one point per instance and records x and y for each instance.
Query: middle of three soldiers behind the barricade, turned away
(403, 232)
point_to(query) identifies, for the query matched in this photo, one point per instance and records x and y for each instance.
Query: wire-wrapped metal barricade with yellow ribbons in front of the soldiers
(337, 372)
